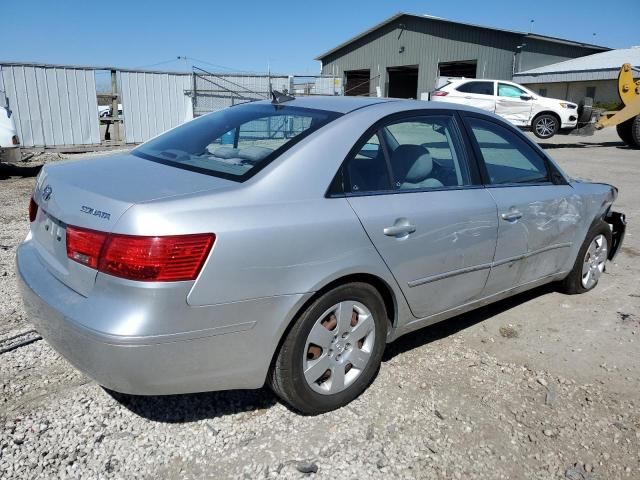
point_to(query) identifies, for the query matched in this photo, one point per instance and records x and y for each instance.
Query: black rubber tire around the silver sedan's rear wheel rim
(287, 379)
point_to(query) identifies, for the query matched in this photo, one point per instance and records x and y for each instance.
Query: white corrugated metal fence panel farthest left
(52, 105)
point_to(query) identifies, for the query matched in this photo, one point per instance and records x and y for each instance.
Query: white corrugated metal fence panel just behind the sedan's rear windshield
(153, 103)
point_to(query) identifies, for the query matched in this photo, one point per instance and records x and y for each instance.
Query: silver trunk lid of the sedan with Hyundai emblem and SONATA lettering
(94, 194)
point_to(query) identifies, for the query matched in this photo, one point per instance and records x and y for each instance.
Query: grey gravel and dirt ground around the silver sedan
(540, 386)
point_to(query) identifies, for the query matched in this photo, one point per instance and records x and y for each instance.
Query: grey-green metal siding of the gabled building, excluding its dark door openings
(426, 43)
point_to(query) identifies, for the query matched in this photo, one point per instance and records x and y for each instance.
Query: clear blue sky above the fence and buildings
(256, 35)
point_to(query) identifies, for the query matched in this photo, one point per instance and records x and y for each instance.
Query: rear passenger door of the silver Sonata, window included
(419, 201)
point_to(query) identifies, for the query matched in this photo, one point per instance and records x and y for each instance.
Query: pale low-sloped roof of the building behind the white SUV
(599, 66)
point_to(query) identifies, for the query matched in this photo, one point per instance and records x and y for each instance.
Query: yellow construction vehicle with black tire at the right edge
(626, 120)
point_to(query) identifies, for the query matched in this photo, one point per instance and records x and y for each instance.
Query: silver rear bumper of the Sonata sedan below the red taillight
(235, 352)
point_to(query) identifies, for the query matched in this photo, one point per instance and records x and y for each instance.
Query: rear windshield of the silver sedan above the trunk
(237, 142)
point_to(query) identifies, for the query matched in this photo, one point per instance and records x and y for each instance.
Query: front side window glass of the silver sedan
(508, 158)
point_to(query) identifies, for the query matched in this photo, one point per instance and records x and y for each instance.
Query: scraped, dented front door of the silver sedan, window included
(538, 214)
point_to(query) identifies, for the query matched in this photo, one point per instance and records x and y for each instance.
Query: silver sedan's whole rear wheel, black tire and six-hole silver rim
(333, 350)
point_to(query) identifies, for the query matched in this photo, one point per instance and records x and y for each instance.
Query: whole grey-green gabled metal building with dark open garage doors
(406, 55)
